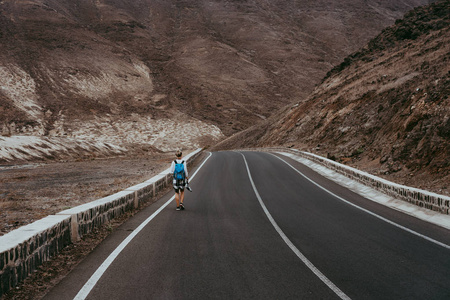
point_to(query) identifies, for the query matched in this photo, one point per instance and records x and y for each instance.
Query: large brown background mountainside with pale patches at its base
(132, 72)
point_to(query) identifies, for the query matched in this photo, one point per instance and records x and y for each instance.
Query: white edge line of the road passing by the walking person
(86, 289)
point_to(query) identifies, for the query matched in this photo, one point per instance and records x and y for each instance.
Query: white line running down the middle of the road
(300, 255)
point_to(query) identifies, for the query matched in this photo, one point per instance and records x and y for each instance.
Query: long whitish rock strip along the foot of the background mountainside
(109, 136)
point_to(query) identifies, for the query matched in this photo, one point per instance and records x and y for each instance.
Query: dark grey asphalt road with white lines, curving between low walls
(255, 228)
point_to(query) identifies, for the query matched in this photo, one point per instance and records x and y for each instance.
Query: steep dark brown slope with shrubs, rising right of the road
(384, 109)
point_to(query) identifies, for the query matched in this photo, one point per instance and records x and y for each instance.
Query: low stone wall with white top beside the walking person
(24, 249)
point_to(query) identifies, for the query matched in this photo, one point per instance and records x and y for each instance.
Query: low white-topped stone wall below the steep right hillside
(421, 198)
